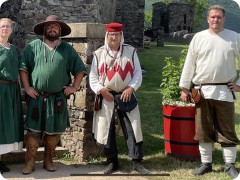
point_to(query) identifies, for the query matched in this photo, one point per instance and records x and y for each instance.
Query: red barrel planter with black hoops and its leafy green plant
(181, 132)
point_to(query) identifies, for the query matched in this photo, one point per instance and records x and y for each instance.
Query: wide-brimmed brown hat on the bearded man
(39, 28)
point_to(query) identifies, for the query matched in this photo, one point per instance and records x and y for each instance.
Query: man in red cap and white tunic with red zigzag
(115, 75)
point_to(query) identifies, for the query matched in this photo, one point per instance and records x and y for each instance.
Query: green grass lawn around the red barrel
(152, 60)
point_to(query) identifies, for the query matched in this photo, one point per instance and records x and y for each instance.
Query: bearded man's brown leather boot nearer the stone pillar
(51, 142)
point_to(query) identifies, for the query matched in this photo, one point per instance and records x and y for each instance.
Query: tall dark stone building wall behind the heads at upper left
(26, 13)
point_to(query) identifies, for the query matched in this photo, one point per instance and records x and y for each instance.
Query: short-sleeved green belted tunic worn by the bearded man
(49, 71)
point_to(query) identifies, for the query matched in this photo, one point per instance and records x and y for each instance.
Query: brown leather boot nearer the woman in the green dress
(32, 145)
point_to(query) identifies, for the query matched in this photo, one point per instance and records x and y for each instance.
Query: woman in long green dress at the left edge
(11, 118)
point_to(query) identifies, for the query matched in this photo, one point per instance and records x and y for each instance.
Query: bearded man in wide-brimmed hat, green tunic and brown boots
(46, 70)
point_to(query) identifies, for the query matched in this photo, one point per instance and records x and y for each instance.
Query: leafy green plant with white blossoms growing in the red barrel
(171, 73)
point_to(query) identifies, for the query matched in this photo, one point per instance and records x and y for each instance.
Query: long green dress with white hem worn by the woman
(11, 117)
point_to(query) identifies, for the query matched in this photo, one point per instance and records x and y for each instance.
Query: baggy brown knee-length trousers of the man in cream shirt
(215, 122)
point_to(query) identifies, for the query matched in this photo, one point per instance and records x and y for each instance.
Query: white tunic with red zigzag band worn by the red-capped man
(115, 74)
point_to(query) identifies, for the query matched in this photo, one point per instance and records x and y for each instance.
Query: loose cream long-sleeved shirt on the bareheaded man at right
(212, 58)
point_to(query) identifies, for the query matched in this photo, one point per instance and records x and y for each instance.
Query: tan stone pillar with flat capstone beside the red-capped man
(85, 38)
